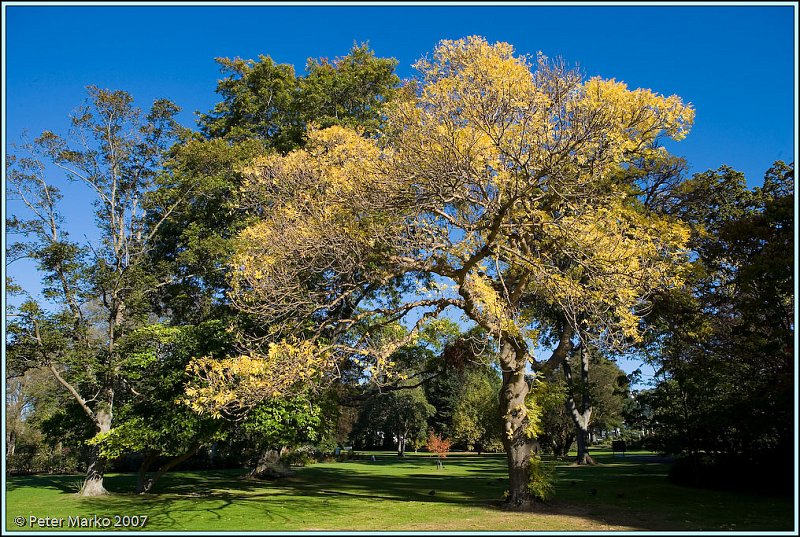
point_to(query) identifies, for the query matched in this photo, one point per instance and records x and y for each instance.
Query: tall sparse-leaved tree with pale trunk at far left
(98, 291)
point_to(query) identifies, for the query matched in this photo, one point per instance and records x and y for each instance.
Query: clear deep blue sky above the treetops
(735, 63)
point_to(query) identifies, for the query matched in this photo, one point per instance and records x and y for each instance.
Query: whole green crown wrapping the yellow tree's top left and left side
(265, 106)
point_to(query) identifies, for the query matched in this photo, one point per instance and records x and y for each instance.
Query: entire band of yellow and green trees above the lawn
(289, 273)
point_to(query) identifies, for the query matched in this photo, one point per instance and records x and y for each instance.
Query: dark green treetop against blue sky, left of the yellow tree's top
(266, 101)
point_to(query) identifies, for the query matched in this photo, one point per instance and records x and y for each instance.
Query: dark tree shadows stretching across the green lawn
(616, 492)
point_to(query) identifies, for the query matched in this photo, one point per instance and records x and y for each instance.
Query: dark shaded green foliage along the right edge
(723, 341)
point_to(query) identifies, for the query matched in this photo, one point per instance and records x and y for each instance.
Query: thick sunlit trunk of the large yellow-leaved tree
(515, 420)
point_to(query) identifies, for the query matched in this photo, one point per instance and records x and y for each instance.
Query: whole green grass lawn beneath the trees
(410, 494)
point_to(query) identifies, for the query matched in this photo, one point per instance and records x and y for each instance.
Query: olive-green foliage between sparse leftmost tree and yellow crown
(201, 186)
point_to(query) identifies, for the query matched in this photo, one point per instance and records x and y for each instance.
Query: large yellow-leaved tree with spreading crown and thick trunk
(494, 189)
